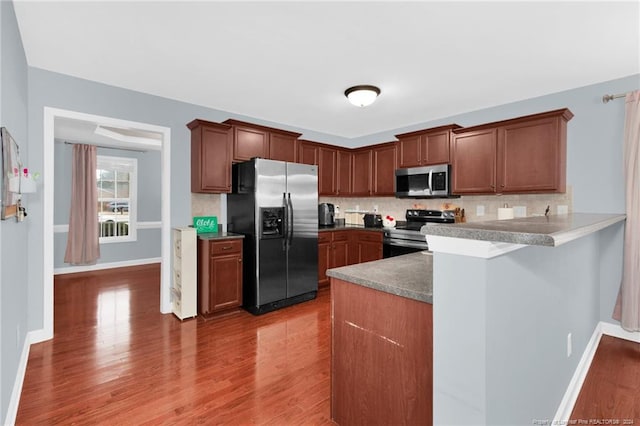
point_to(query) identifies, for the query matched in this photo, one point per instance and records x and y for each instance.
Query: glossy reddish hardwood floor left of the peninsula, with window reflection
(115, 359)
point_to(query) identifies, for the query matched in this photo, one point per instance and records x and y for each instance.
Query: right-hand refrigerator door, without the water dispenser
(302, 187)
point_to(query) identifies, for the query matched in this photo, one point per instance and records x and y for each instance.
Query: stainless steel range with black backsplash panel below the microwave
(405, 239)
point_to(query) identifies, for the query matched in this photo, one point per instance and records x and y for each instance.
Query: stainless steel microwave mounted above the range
(424, 182)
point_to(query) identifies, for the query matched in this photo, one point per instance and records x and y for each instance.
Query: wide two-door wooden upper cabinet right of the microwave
(522, 155)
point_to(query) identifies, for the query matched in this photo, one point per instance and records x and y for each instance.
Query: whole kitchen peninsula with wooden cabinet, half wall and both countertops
(515, 304)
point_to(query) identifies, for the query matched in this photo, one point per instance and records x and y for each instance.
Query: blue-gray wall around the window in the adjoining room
(148, 241)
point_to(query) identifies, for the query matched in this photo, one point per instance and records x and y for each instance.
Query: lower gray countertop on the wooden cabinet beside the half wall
(409, 276)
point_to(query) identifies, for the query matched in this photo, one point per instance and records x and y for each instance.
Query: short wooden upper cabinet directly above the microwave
(425, 147)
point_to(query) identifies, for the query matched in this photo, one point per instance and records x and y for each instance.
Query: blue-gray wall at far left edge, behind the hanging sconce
(15, 270)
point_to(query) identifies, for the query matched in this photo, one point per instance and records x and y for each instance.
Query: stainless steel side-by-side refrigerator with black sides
(275, 205)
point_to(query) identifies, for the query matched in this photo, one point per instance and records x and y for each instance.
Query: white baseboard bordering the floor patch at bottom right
(575, 385)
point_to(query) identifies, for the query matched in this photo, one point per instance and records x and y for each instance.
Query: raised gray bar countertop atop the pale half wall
(548, 231)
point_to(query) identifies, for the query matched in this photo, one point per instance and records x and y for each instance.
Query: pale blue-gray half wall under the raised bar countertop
(501, 326)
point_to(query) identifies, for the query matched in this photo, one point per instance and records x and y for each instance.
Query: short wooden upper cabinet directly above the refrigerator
(251, 140)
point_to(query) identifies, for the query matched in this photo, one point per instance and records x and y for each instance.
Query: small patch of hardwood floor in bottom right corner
(611, 391)
